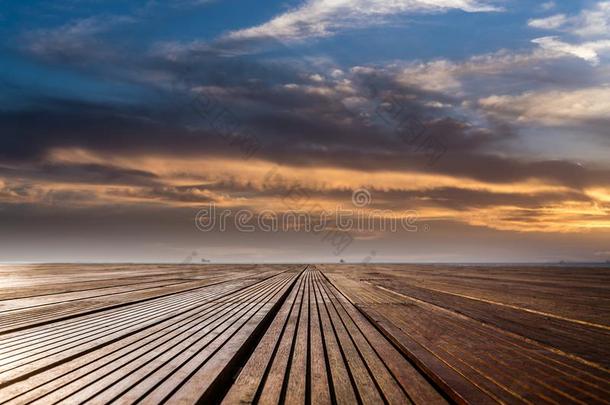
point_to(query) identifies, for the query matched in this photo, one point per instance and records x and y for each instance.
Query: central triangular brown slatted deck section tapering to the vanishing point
(320, 348)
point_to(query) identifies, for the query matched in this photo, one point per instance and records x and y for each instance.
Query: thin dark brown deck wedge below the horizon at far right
(584, 292)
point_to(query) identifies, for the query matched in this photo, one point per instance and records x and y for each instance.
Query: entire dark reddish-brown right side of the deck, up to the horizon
(517, 335)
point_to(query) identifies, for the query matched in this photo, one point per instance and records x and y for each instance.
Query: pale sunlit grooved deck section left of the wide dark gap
(150, 350)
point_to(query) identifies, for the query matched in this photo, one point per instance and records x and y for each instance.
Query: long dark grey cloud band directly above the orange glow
(287, 137)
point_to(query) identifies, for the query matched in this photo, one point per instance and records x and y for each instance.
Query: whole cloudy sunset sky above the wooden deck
(484, 122)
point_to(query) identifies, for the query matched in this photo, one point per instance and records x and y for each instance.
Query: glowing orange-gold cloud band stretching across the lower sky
(527, 205)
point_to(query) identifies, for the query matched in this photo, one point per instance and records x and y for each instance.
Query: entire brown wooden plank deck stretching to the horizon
(366, 334)
